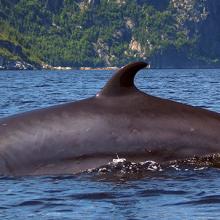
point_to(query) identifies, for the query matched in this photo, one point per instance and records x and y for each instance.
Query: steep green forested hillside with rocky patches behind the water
(97, 33)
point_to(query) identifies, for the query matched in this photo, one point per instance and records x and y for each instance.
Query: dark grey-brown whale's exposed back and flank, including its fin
(69, 138)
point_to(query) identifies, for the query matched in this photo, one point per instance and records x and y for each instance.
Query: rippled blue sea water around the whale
(172, 193)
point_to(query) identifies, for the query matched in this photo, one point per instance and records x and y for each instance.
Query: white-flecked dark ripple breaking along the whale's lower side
(122, 166)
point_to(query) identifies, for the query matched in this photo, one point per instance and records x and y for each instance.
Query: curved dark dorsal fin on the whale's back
(123, 80)
